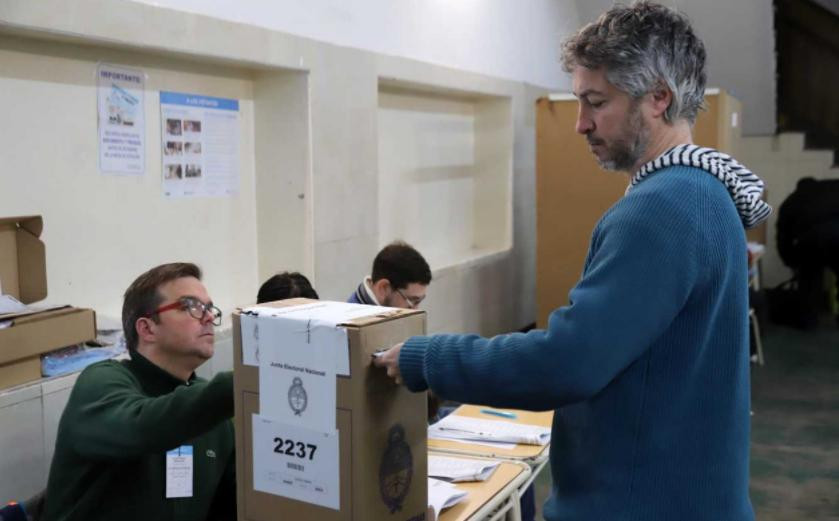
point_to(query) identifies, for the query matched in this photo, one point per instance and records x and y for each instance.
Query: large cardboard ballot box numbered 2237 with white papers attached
(310, 450)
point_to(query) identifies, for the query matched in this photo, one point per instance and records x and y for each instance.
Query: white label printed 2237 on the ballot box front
(296, 463)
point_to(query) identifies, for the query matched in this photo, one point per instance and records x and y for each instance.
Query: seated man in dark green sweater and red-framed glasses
(127, 426)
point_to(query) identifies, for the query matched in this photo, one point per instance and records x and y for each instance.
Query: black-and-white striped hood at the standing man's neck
(744, 186)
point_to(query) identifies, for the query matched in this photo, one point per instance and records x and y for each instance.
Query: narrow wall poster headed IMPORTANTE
(121, 122)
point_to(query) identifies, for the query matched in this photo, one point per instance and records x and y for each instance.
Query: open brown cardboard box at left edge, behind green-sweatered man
(26, 335)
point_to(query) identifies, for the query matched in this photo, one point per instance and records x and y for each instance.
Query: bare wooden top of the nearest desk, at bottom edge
(494, 499)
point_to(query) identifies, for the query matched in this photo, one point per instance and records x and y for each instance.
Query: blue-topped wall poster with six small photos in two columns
(200, 145)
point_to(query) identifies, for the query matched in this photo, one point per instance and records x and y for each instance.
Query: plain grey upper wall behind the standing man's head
(740, 43)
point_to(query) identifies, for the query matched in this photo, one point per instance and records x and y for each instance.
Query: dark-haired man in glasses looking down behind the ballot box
(399, 279)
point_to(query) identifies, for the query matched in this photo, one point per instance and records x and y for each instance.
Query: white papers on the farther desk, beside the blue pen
(463, 428)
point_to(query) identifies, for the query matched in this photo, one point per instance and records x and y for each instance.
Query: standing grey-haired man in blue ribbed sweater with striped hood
(647, 368)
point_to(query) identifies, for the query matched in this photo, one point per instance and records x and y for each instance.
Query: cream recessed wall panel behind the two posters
(101, 231)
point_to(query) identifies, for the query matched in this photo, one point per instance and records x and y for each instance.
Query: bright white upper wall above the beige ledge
(514, 40)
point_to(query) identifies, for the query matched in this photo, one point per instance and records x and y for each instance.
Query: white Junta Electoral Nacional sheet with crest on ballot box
(297, 371)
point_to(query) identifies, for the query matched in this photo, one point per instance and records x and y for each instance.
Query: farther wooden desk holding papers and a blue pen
(534, 455)
